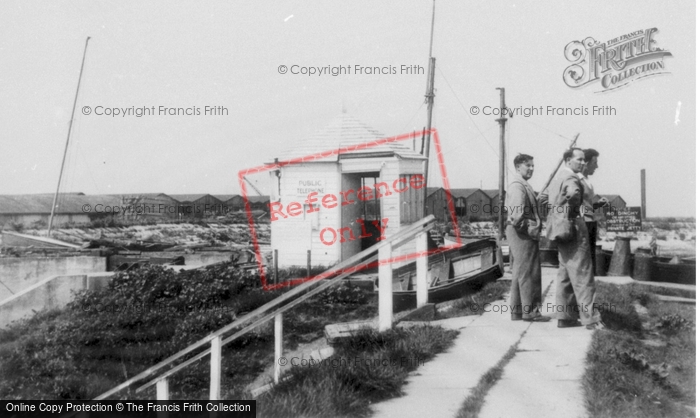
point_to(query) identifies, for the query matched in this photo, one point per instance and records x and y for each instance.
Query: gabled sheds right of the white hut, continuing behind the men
(482, 205)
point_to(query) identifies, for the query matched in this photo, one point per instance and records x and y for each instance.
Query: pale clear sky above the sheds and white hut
(190, 55)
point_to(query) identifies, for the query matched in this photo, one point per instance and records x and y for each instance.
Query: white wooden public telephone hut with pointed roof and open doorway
(334, 198)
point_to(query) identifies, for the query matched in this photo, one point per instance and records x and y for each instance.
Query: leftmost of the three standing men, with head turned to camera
(523, 234)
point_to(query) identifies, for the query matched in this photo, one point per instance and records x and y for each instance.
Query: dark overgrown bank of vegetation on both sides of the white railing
(73, 353)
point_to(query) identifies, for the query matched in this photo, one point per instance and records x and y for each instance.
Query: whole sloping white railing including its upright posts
(275, 309)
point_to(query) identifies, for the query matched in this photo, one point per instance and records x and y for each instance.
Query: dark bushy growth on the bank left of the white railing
(142, 317)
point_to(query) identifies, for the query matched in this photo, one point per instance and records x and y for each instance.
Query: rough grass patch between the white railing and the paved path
(366, 368)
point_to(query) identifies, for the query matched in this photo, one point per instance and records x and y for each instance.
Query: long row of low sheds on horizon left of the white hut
(81, 208)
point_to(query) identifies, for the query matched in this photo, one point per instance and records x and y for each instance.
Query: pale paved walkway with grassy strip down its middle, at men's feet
(542, 380)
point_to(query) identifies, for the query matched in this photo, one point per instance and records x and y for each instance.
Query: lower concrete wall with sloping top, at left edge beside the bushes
(54, 292)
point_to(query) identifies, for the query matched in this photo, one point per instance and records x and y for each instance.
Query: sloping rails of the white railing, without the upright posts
(340, 271)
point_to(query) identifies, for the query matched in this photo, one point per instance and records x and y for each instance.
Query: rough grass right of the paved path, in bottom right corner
(643, 365)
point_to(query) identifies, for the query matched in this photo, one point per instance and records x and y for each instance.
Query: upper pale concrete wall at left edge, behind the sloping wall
(18, 273)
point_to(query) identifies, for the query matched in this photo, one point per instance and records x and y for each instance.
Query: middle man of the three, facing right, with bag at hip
(575, 281)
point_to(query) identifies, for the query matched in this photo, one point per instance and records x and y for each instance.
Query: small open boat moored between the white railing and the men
(452, 274)
